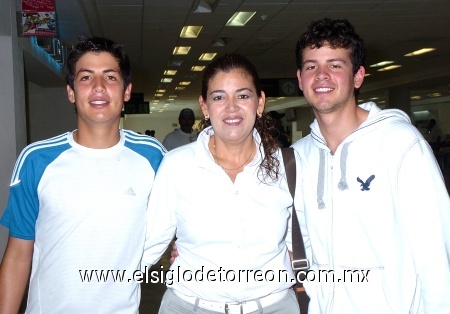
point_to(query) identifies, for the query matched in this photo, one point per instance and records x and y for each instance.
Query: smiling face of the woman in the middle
(232, 105)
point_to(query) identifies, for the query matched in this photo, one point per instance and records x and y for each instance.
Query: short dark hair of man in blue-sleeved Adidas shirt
(97, 44)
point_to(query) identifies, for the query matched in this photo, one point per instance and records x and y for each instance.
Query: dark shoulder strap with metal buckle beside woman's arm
(298, 247)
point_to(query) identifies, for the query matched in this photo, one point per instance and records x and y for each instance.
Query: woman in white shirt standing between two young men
(227, 199)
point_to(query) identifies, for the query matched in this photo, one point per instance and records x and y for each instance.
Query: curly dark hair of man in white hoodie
(336, 34)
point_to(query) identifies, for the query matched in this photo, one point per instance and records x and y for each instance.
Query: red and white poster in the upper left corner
(38, 18)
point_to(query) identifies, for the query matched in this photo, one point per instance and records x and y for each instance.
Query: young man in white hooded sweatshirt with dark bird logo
(374, 210)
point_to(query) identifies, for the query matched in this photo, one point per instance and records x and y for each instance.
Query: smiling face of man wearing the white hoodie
(326, 78)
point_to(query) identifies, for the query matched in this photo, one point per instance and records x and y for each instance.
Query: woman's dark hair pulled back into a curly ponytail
(269, 167)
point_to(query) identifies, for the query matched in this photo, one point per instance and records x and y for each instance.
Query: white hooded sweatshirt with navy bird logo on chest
(376, 216)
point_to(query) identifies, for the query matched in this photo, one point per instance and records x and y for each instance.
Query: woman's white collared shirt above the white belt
(231, 236)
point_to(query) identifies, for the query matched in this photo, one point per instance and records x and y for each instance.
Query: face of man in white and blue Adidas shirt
(98, 91)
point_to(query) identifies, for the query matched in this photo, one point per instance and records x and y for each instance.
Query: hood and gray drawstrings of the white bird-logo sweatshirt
(376, 119)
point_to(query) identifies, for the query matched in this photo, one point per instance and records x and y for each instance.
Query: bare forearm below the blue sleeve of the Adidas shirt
(14, 273)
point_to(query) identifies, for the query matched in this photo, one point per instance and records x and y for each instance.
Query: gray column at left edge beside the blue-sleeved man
(12, 103)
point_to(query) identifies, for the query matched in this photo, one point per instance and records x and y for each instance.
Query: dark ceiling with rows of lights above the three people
(150, 30)
